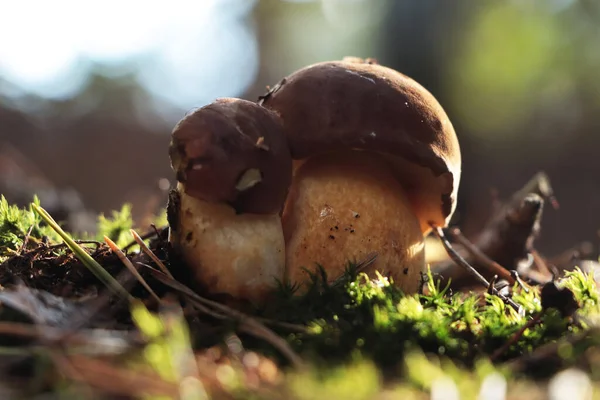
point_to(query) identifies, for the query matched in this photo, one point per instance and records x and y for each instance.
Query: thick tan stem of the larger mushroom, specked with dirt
(341, 208)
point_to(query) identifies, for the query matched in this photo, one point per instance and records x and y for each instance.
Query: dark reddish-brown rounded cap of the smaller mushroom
(233, 151)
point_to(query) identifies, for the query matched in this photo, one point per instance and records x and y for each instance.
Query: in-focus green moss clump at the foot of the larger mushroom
(370, 317)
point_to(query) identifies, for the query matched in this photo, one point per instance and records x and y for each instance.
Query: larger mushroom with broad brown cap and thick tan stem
(376, 161)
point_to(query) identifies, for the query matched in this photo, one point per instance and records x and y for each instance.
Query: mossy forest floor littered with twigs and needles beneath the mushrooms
(503, 312)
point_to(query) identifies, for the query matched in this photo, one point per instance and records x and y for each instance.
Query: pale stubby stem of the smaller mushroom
(238, 254)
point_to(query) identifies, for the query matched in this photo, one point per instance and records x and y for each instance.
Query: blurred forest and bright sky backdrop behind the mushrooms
(89, 91)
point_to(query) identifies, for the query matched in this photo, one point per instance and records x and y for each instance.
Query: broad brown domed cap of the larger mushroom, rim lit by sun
(361, 105)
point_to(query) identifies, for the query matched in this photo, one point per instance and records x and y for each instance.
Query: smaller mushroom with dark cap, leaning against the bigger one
(234, 170)
